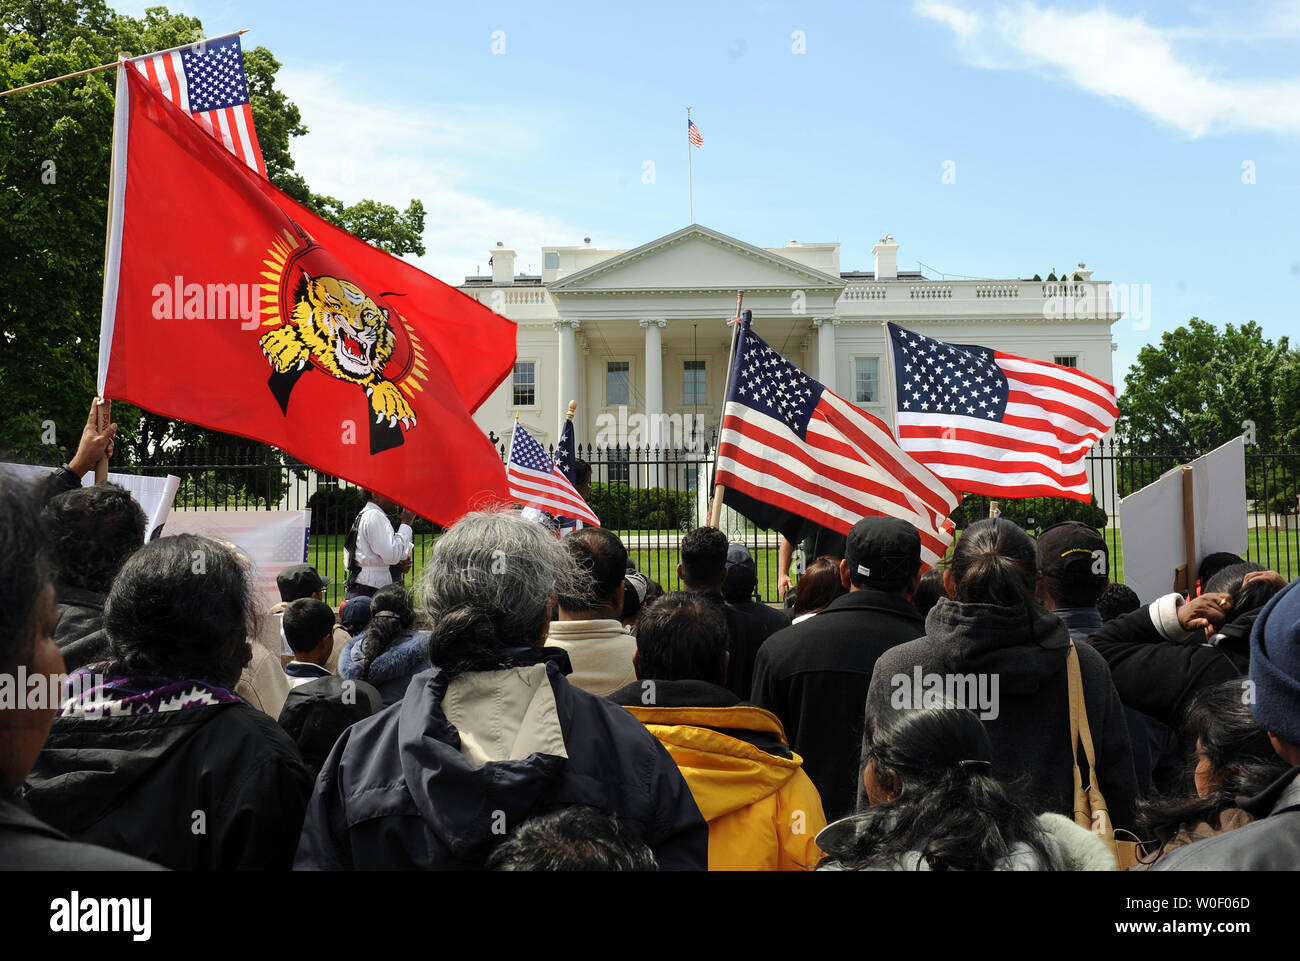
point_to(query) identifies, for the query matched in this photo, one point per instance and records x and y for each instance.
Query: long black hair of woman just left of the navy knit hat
(1240, 752)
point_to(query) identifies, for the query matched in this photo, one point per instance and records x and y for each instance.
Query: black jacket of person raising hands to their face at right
(1158, 677)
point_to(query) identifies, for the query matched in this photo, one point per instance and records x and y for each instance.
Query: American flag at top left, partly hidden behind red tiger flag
(207, 81)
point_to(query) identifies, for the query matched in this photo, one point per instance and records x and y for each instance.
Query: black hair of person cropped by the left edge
(24, 570)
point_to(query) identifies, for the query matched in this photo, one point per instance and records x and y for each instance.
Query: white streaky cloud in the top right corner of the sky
(1123, 58)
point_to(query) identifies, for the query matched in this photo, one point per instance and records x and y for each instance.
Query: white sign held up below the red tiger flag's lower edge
(274, 540)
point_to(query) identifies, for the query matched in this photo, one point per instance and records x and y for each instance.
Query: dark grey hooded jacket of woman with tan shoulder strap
(1025, 651)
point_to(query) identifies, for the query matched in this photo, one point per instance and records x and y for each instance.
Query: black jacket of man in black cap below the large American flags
(814, 677)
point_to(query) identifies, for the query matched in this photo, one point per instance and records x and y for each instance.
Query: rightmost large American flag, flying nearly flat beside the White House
(994, 423)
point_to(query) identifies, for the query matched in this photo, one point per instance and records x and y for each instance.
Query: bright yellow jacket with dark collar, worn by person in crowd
(762, 810)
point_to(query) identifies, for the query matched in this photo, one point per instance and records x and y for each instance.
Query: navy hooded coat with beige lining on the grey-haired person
(397, 793)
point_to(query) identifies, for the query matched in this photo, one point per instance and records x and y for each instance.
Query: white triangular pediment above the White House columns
(696, 259)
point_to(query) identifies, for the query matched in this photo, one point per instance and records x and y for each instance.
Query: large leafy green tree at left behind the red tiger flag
(55, 145)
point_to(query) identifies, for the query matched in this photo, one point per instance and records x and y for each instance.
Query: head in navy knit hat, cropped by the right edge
(1276, 672)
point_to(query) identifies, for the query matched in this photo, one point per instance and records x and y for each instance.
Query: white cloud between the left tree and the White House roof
(392, 154)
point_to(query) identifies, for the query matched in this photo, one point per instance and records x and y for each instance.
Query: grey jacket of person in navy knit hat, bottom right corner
(1272, 843)
